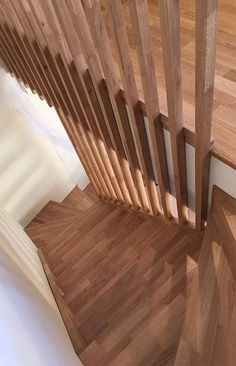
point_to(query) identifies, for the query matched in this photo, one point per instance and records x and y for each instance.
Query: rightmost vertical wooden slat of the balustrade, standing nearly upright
(206, 24)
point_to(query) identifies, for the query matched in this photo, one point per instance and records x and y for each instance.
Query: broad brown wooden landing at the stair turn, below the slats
(126, 278)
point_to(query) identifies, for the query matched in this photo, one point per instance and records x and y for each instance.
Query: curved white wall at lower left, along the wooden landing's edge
(31, 329)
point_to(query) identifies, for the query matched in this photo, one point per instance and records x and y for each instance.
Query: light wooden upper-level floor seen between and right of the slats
(224, 125)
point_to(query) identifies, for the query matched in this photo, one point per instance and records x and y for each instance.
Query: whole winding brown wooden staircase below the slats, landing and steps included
(122, 281)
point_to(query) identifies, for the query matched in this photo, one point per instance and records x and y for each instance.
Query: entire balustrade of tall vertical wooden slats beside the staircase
(64, 52)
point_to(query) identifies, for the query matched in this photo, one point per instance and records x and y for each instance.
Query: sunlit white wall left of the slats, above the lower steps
(37, 161)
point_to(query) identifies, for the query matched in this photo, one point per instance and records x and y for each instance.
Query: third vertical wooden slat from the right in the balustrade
(139, 17)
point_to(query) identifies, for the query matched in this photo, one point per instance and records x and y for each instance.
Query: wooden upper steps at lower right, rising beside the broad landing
(207, 337)
